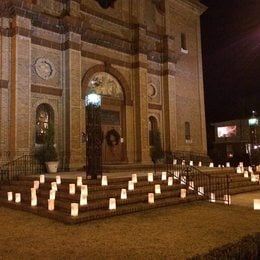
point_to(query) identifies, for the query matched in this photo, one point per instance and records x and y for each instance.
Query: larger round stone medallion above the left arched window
(44, 68)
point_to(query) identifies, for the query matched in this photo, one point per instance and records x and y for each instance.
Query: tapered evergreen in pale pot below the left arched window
(47, 153)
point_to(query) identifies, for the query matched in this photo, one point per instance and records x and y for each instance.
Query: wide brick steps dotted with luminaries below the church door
(97, 200)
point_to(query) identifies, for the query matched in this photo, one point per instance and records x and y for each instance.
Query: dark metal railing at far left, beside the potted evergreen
(22, 166)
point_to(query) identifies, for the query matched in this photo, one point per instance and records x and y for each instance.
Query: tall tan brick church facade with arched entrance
(146, 54)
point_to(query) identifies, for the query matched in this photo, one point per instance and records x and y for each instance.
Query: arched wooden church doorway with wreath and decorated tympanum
(112, 116)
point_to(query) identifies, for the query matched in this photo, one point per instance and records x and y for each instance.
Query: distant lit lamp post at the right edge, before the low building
(253, 123)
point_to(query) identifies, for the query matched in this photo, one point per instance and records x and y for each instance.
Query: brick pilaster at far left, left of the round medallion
(20, 87)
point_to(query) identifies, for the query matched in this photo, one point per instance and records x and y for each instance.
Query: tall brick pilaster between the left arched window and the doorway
(73, 103)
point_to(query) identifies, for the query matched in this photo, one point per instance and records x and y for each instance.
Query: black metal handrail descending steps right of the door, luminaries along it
(215, 188)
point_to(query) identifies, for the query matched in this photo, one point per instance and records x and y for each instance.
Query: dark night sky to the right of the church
(231, 58)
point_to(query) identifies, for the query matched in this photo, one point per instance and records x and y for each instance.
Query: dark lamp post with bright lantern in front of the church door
(93, 133)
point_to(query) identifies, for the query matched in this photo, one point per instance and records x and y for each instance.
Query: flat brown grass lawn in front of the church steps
(176, 232)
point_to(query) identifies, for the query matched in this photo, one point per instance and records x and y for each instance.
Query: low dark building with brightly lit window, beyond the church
(237, 141)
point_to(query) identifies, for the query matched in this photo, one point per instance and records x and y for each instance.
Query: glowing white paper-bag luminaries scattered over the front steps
(104, 182)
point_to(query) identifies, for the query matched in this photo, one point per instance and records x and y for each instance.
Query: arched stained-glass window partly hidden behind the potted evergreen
(44, 116)
